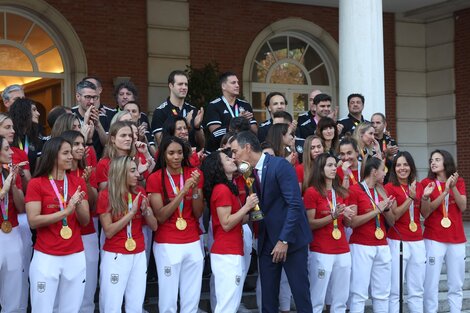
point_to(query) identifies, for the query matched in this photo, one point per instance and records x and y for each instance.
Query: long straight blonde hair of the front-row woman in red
(117, 183)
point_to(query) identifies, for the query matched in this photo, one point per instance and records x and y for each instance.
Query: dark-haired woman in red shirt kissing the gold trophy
(228, 215)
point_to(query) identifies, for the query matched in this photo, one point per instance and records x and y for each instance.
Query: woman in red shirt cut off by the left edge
(11, 253)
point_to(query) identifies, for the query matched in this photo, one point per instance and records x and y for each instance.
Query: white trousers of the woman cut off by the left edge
(11, 271)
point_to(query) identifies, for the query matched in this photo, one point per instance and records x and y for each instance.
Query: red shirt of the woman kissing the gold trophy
(225, 242)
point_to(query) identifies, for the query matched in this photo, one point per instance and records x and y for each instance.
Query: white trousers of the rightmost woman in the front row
(454, 256)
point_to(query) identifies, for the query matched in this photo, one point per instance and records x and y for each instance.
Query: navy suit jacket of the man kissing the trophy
(281, 202)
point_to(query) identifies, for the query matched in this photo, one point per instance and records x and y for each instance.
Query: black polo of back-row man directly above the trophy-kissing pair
(219, 113)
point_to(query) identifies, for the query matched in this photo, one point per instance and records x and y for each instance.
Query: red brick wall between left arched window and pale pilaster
(114, 38)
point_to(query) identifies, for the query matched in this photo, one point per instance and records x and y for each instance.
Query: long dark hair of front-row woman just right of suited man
(318, 181)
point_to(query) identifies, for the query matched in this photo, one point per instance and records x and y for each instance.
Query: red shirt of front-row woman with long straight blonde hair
(116, 244)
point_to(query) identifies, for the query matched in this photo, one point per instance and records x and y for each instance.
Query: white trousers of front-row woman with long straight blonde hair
(122, 275)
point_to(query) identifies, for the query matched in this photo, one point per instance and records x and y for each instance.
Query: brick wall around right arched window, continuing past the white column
(223, 31)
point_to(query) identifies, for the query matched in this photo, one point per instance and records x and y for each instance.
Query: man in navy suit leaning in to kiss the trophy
(284, 233)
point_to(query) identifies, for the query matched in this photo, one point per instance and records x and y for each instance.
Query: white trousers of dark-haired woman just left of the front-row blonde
(61, 277)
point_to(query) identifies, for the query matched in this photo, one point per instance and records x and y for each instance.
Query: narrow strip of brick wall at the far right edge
(462, 93)
